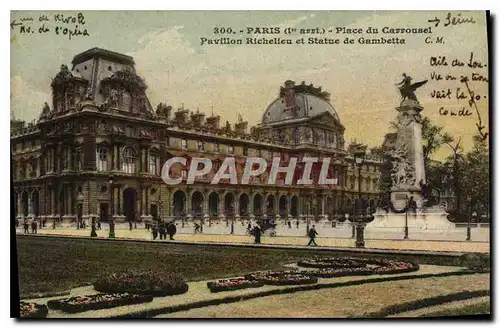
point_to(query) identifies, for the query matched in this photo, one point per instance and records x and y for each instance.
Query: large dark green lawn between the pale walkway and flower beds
(56, 264)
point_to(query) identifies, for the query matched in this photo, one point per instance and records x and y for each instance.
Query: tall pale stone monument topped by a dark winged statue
(409, 189)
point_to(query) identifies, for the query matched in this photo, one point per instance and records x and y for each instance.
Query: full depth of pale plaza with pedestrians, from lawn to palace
(382, 240)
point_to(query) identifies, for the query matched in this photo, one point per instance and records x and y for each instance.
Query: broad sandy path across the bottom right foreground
(340, 302)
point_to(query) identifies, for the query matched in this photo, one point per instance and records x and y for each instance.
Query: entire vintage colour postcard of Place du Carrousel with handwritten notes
(250, 164)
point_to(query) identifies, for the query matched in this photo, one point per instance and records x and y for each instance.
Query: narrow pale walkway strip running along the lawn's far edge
(414, 245)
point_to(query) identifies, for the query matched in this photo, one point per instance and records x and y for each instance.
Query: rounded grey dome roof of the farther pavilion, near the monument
(296, 102)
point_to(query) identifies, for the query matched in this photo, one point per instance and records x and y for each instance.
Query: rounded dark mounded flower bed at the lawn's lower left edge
(142, 283)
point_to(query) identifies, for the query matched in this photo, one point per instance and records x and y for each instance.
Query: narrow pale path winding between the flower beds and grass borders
(198, 292)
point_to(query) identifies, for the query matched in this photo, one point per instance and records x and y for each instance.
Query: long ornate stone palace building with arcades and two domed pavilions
(99, 151)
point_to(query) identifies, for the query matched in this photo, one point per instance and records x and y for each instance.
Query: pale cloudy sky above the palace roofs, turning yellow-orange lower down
(245, 79)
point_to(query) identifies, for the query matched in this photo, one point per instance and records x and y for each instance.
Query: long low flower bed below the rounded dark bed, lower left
(96, 302)
